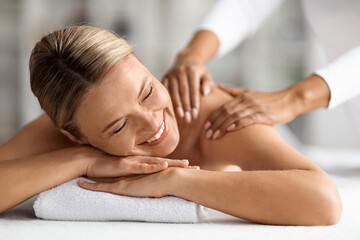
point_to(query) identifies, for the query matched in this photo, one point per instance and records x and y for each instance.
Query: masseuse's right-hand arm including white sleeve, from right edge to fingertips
(329, 87)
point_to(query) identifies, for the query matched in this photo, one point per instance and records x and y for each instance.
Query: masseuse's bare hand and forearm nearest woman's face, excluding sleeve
(189, 75)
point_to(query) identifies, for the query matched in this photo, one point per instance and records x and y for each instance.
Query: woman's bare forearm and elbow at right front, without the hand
(280, 197)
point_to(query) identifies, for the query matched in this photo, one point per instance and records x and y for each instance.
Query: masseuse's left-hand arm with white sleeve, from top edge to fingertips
(226, 25)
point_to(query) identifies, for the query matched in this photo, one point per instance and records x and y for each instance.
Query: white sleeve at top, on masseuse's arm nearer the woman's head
(234, 20)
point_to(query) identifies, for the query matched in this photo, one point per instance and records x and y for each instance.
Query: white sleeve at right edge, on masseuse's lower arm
(343, 77)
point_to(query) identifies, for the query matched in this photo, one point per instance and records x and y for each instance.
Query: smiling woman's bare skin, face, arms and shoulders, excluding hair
(277, 185)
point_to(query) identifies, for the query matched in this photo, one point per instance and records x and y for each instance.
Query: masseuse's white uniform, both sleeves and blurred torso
(234, 20)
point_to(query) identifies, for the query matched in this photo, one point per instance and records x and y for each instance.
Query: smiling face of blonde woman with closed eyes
(128, 112)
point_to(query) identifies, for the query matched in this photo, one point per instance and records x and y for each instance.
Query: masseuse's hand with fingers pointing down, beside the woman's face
(184, 81)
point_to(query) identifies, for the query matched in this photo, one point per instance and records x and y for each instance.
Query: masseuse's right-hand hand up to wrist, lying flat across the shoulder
(249, 107)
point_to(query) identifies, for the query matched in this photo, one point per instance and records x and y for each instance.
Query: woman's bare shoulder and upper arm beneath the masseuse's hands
(256, 147)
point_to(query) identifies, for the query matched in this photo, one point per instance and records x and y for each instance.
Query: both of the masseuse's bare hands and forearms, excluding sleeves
(188, 77)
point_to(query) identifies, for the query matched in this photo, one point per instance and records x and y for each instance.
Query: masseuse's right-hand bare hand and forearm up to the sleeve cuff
(251, 106)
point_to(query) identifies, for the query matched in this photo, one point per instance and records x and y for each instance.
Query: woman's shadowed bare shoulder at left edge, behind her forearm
(38, 136)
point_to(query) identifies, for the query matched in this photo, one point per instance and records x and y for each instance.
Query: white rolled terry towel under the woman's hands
(71, 202)
